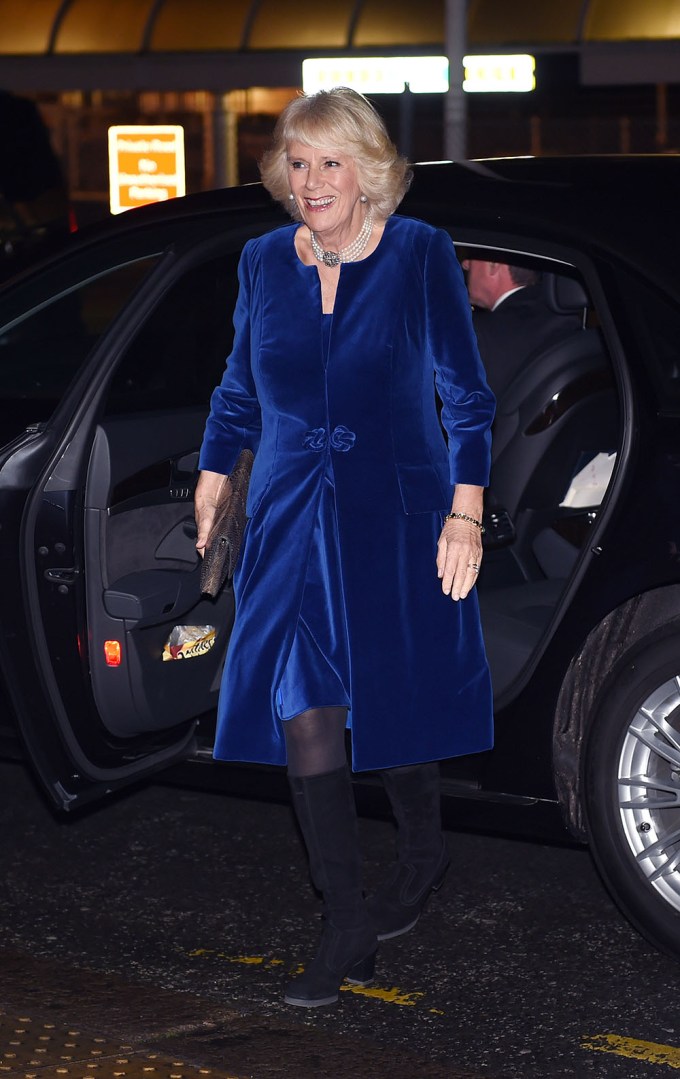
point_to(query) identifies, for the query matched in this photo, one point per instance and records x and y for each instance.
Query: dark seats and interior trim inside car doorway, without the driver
(554, 448)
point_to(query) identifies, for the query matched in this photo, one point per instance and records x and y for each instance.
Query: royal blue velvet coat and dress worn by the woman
(338, 600)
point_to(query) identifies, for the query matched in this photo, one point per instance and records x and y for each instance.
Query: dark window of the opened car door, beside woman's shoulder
(179, 357)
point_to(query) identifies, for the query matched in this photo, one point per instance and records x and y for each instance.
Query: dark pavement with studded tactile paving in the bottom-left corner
(78, 1023)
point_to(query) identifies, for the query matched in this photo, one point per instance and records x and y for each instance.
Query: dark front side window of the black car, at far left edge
(43, 349)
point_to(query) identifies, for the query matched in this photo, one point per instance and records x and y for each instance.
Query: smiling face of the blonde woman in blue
(327, 189)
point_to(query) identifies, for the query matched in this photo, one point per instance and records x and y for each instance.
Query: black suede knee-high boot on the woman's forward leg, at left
(327, 813)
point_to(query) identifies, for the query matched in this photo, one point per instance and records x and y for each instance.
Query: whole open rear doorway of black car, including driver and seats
(555, 444)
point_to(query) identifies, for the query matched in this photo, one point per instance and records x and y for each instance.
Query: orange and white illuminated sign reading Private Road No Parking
(146, 165)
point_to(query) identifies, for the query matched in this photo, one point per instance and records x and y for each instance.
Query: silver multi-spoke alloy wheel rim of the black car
(649, 789)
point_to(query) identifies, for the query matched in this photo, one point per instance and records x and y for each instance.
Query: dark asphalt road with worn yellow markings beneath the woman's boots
(180, 914)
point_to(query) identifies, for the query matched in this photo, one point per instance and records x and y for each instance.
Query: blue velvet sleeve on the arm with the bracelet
(468, 403)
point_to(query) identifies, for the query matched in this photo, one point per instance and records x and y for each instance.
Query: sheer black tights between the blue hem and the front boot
(316, 742)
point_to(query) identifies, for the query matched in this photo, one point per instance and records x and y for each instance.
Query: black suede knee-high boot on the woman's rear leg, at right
(423, 856)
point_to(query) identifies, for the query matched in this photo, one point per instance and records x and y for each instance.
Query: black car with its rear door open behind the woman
(112, 658)
